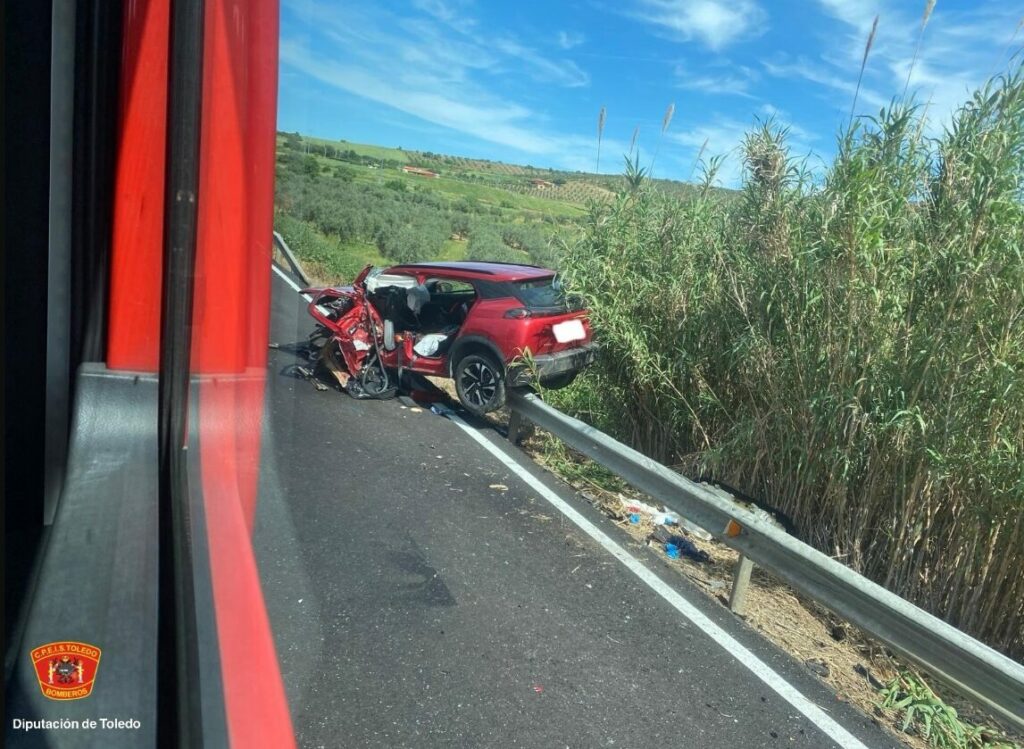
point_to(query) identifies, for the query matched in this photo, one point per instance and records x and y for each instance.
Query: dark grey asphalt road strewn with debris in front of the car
(415, 606)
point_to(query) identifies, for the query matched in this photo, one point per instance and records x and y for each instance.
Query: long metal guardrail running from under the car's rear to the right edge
(970, 668)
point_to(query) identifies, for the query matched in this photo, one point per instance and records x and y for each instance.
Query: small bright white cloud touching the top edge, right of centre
(715, 23)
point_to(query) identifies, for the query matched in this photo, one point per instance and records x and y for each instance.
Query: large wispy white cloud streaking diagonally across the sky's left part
(435, 68)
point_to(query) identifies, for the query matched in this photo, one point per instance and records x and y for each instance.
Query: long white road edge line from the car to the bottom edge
(760, 670)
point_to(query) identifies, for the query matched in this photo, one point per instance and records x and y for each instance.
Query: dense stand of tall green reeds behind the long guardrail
(851, 351)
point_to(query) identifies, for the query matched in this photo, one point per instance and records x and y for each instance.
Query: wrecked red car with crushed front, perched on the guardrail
(486, 325)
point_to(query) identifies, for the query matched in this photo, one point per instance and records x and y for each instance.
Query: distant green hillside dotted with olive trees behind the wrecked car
(342, 205)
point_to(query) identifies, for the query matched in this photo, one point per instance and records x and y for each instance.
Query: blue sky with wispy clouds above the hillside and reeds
(524, 82)
